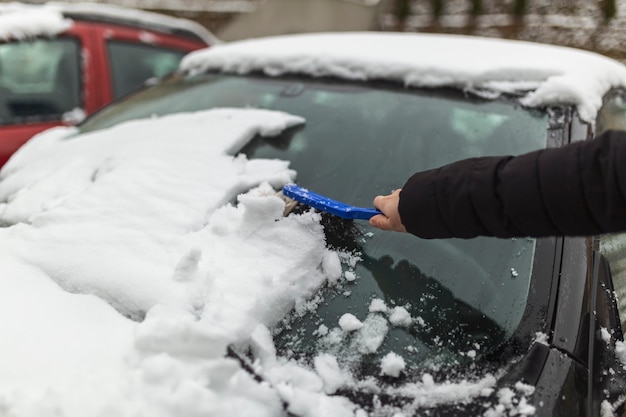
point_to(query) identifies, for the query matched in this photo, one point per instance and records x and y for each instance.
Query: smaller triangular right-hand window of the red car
(132, 64)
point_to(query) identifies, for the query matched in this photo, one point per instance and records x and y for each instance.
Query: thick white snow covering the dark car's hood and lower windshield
(132, 257)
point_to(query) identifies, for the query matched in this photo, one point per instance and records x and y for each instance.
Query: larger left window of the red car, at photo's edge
(39, 80)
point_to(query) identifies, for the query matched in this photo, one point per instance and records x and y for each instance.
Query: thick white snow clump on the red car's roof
(18, 22)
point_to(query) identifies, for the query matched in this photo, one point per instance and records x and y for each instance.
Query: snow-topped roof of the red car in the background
(26, 20)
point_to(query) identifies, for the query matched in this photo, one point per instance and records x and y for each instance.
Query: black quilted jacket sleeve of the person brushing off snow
(576, 190)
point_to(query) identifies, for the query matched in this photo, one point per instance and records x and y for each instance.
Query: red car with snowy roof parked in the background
(61, 62)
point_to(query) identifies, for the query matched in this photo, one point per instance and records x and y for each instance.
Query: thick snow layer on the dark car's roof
(552, 74)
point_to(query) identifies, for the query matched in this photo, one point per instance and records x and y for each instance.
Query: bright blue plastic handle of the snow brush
(328, 205)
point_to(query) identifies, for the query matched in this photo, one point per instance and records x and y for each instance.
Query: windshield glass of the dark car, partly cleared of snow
(434, 302)
